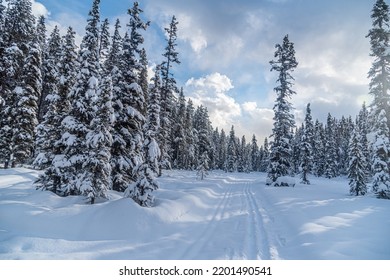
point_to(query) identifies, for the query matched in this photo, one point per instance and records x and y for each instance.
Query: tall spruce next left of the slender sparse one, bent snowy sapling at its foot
(144, 148)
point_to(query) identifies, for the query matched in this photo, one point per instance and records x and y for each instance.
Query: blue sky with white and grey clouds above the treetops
(225, 47)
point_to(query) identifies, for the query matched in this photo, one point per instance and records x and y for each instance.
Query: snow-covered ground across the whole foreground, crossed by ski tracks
(225, 216)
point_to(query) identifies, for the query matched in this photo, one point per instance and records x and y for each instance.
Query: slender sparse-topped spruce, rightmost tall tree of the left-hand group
(168, 89)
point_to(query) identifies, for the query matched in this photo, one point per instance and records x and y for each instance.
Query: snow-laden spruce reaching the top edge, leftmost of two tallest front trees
(77, 125)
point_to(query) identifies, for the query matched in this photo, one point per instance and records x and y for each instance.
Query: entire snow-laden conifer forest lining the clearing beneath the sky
(92, 120)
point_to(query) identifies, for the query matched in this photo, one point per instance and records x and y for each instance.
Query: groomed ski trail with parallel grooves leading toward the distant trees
(251, 222)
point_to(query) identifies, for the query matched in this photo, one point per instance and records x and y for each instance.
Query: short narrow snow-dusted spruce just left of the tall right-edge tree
(357, 170)
